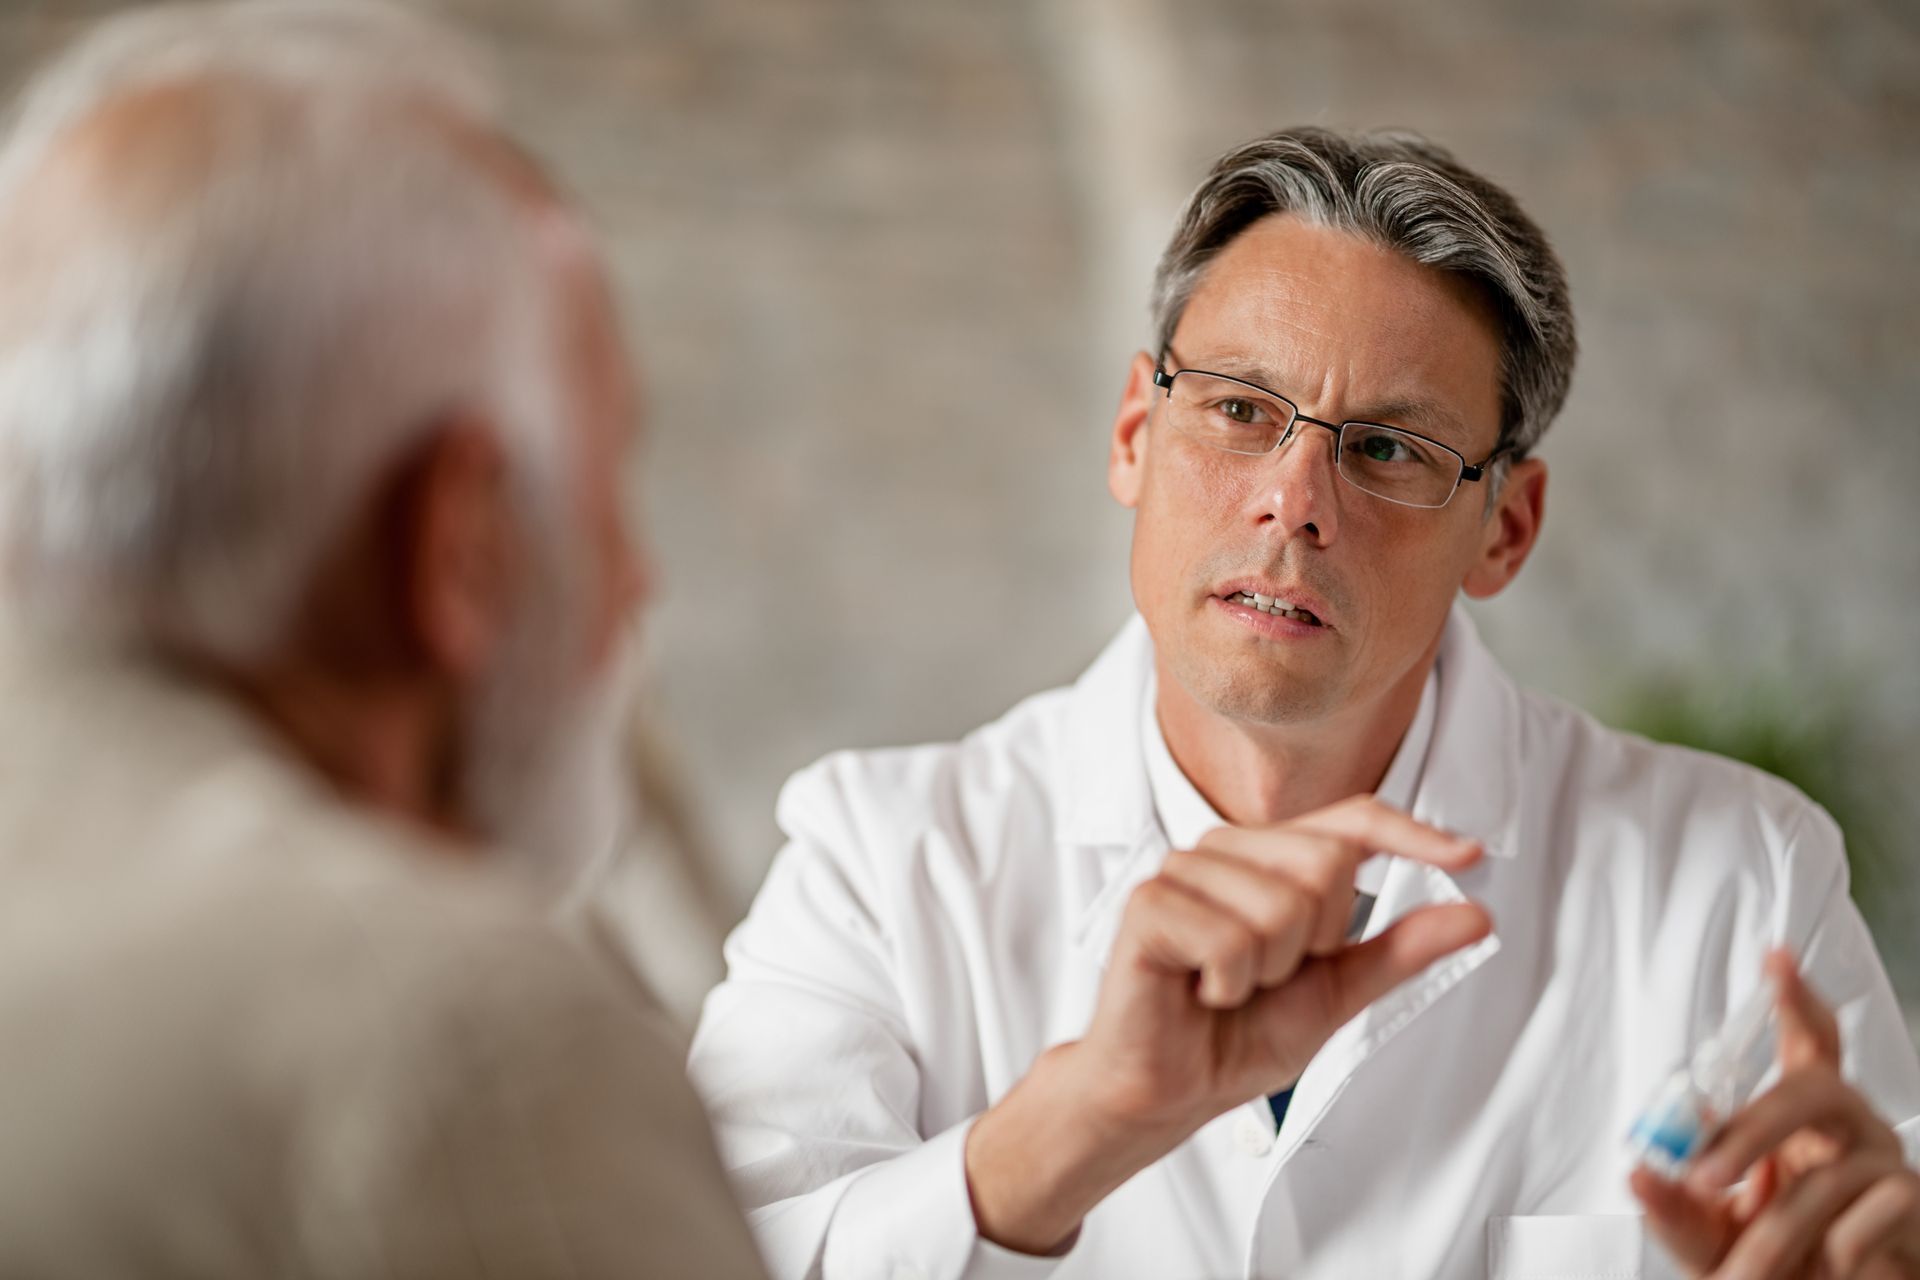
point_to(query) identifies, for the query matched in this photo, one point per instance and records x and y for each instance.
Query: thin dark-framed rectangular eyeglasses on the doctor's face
(1383, 462)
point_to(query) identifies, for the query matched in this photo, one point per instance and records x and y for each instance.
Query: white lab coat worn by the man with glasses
(944, 914)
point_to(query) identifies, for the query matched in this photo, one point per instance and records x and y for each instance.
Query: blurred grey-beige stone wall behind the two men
(886, 262)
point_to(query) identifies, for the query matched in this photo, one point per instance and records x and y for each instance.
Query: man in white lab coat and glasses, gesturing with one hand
(1295, 939)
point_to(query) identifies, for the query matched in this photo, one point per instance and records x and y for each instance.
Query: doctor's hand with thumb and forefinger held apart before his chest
(1230, 972)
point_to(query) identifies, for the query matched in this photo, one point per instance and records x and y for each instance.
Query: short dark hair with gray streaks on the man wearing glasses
(1412, 197)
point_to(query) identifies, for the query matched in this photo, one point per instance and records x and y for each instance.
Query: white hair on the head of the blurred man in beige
(199, 387)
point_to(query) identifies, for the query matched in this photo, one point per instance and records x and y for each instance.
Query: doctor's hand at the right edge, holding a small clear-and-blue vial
(1827, 1195)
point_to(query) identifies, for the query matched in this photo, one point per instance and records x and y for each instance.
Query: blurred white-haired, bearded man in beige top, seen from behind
(312, 406)
